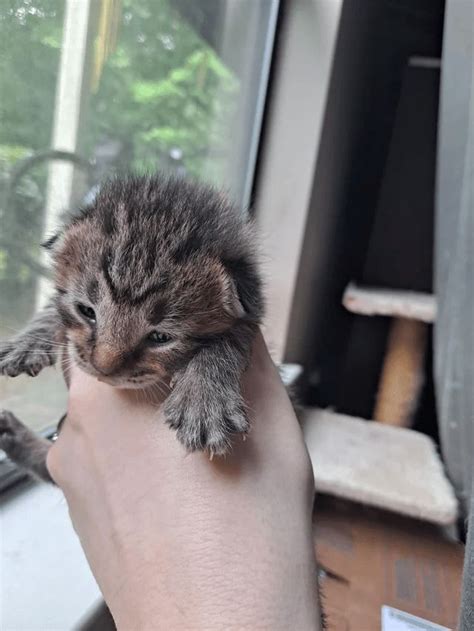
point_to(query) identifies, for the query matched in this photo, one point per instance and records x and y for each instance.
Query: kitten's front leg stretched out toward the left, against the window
(34, 348)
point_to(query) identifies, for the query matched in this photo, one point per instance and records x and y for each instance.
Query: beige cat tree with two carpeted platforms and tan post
(384, 463)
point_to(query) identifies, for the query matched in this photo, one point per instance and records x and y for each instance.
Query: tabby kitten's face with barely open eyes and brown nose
(133, 318)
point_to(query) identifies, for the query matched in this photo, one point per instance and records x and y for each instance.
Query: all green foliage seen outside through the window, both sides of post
(163, 97)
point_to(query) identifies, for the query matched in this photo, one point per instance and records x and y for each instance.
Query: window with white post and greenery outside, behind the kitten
(94, 87)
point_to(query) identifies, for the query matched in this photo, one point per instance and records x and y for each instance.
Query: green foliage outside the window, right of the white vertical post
(164, 88)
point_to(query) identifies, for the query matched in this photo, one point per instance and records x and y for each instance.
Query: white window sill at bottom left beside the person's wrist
(46, 582)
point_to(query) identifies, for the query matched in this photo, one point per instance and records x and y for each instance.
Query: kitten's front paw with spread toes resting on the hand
(206, 419)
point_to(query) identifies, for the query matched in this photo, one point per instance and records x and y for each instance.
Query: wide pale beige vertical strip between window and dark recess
(294, 123)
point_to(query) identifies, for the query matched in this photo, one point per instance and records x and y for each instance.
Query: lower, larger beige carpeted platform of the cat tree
(389, 467)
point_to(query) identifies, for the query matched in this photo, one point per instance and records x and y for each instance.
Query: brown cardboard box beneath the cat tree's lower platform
(371, 559)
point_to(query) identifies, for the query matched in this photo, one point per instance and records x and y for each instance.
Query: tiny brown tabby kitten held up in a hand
(156, 279)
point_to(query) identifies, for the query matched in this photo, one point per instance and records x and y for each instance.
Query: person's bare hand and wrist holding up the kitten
(176, 541)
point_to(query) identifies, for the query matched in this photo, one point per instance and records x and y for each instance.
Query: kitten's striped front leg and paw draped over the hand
(206, 406)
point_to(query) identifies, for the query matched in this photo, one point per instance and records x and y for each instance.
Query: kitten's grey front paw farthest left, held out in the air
(20, 357)
